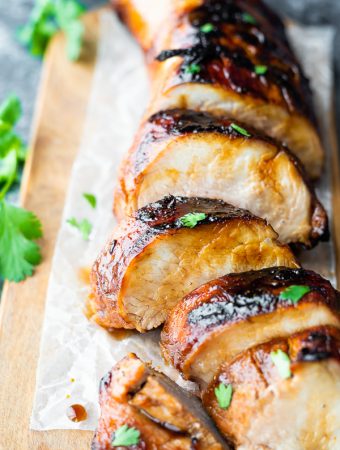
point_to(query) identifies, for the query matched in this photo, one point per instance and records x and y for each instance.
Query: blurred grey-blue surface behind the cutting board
(20, 73)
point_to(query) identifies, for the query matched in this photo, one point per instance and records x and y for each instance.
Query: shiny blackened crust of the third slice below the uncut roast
(234, 298)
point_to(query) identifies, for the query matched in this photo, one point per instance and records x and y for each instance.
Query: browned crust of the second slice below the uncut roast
(134, 235)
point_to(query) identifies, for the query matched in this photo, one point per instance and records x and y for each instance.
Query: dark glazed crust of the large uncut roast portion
(229, 53)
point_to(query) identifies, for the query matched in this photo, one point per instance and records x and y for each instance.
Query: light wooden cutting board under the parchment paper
(59, 118)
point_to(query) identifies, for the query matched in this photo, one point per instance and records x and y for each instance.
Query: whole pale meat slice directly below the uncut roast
(195, 154)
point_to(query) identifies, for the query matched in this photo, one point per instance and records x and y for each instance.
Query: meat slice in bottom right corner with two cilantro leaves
(270, 412)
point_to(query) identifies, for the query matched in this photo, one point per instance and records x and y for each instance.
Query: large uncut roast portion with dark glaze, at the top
(229, 58)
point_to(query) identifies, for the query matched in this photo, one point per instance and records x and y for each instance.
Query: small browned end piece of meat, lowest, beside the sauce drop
(165, 417)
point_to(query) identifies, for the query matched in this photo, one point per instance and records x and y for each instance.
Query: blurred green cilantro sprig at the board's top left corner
(46, 19)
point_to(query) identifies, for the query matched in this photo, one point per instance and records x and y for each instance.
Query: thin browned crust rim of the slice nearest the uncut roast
(179, 122)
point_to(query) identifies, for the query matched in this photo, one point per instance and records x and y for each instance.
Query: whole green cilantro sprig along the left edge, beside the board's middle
(19, 228)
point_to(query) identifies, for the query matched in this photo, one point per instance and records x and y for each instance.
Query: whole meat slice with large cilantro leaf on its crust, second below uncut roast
(169, 248)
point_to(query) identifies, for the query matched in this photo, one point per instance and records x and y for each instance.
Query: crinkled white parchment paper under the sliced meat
(76, 353)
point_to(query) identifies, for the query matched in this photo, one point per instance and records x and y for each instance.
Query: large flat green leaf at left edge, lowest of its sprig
(18, 251)
